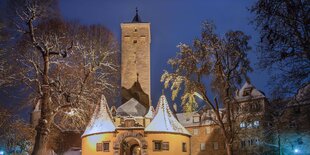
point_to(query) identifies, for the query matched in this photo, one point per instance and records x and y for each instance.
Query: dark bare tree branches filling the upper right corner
(284, 45)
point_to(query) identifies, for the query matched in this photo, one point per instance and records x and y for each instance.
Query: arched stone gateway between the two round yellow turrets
(130, 143)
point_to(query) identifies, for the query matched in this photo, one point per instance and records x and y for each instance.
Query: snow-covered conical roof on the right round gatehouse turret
(164, 120)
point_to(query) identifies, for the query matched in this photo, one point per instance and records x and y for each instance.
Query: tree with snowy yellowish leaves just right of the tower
(224, 61)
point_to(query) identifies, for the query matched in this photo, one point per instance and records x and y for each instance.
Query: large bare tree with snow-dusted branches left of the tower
(65, 66)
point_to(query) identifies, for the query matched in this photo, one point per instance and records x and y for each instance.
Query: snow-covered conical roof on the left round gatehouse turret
(101, 120)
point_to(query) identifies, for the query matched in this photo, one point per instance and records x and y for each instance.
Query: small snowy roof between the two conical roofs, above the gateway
(131, 108)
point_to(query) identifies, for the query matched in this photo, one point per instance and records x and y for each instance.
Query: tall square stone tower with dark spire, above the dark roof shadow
(135, 66)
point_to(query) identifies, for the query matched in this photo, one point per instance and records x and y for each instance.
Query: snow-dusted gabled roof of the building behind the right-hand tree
(248, 91)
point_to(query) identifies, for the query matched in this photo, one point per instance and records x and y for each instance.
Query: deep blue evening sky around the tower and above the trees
(172, 22)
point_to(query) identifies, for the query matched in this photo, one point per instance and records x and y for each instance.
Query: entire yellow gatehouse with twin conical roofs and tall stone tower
(135, 128)
